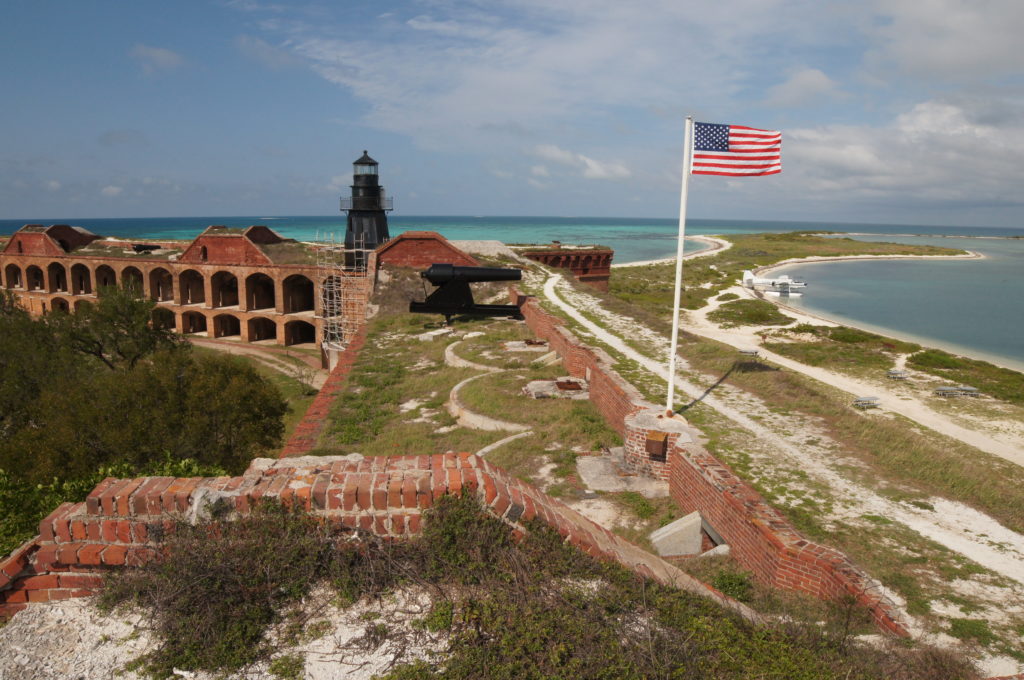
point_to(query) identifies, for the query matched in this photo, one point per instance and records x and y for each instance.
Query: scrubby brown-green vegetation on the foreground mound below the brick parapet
(537, 609)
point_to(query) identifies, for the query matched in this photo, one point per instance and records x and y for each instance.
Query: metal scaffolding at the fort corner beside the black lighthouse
(343, 274)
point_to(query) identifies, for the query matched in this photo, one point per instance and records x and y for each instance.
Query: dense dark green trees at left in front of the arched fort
(100, 391)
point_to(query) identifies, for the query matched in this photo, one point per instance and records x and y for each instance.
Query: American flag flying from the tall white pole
(736, 150)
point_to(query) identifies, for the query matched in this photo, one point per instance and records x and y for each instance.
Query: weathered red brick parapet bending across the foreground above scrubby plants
(121, 523)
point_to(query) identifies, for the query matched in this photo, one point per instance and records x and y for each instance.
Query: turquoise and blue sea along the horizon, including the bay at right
(973, 307)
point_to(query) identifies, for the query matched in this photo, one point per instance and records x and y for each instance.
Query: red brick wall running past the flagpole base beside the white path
(759, 536)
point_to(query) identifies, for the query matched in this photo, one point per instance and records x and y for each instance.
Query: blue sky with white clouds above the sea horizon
(894, 111)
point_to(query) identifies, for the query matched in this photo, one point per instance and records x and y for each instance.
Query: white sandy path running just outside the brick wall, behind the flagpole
(953, 525)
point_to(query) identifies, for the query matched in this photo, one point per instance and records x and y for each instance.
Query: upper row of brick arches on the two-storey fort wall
(258, 291)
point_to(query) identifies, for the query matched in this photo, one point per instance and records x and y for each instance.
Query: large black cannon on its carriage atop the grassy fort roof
(454, 295)
